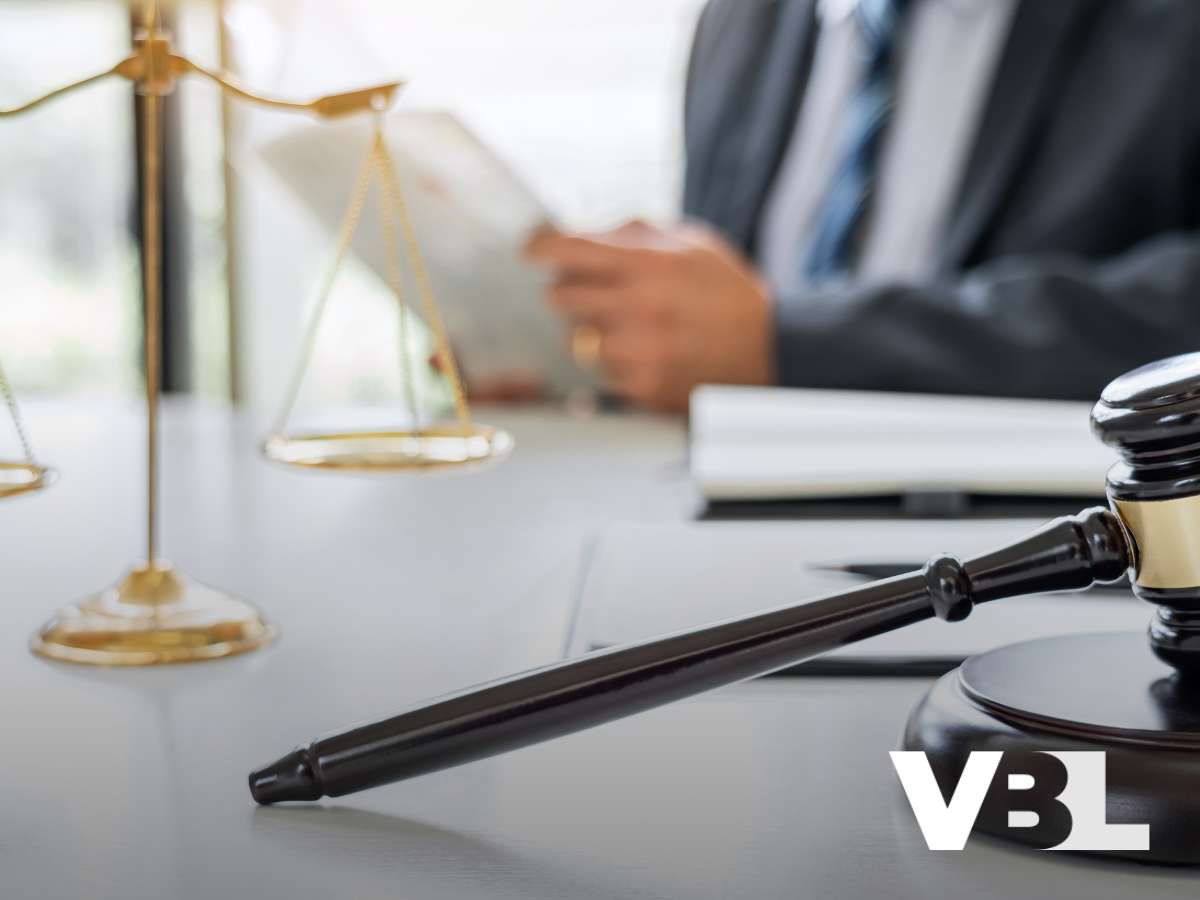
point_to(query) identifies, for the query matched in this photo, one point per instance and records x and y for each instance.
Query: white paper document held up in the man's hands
(472, 215)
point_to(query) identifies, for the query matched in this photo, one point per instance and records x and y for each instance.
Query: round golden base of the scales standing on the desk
(154, 616)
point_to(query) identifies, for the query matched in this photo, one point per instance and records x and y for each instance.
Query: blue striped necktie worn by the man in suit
(838, 225)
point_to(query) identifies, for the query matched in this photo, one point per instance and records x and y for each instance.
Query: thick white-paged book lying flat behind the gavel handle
(781, 443)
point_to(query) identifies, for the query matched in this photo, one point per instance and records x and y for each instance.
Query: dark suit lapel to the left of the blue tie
(760, 119)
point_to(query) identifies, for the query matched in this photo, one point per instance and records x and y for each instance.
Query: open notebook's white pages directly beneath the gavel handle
(644, 581)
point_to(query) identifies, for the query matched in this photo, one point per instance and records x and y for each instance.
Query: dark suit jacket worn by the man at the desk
(1072, 254)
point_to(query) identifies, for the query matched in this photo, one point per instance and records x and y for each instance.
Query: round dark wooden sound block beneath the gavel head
(1099, 692)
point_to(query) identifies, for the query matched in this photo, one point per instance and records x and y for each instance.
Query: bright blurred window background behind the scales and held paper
(596, 134)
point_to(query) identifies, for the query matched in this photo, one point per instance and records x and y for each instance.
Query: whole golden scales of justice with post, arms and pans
(157, 614)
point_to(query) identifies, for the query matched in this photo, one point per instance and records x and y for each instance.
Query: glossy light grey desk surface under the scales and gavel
(133, 784)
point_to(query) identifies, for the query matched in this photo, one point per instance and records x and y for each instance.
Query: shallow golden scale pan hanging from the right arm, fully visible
(427, 451)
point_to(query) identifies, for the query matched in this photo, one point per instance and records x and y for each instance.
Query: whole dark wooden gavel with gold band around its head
(1151, 530)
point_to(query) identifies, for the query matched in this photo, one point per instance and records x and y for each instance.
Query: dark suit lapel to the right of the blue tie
(1023, 91)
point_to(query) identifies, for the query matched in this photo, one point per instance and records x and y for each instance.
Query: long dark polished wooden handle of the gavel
(1069, 554)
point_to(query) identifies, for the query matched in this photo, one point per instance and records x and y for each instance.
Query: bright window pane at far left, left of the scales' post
(70, 315)
